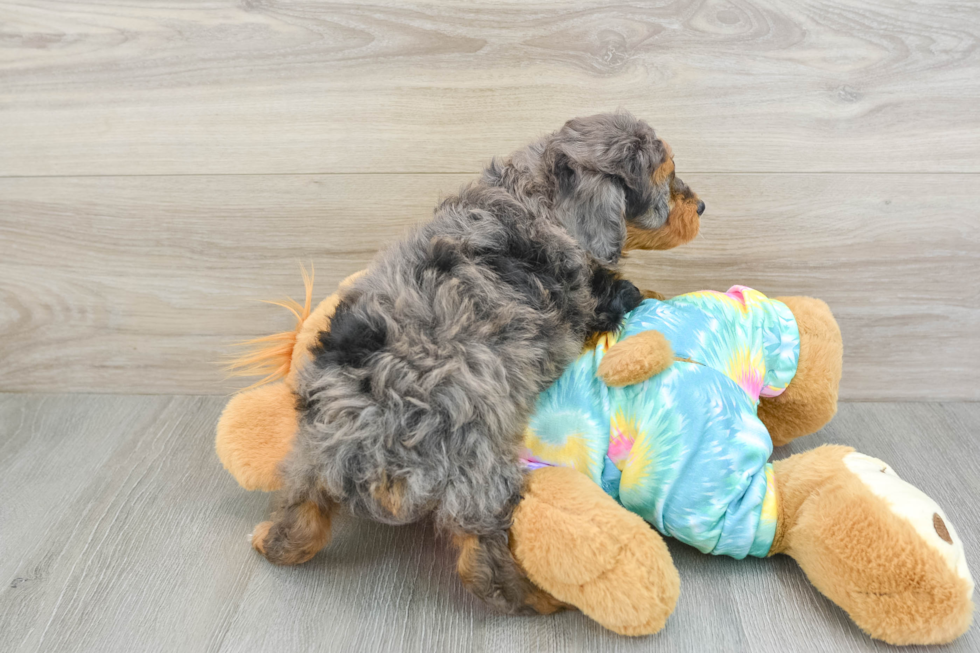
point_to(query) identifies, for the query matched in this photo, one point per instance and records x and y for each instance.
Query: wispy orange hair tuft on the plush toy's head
(271, 356)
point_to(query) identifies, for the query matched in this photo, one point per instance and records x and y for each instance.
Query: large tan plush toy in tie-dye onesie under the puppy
(671, 422)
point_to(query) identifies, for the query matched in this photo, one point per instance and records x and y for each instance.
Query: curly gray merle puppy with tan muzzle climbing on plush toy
(419, 394)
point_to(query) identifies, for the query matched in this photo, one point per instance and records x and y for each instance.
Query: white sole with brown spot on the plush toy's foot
(916, 507)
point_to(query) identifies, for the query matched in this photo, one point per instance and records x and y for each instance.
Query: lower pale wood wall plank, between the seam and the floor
(142, 284)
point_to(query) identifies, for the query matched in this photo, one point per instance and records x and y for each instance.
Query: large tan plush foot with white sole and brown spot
(875, 545)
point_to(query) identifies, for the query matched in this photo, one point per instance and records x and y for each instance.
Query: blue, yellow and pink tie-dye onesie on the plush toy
(684, 449)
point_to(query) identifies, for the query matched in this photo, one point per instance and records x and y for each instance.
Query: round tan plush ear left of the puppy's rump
(255, 433)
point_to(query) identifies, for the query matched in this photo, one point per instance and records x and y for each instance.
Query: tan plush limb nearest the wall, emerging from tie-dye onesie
(810, 400)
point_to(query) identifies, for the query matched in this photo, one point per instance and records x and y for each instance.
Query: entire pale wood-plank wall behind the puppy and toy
(163, 164)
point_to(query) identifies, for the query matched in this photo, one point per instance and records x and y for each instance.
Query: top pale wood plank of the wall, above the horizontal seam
(288, 86)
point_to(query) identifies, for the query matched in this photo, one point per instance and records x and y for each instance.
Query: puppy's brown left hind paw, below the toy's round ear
(300, 527)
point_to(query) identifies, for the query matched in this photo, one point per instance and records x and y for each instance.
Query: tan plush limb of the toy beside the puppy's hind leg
(575, 542)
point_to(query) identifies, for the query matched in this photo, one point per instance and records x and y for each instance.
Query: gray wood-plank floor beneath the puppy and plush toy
(119, 531)
